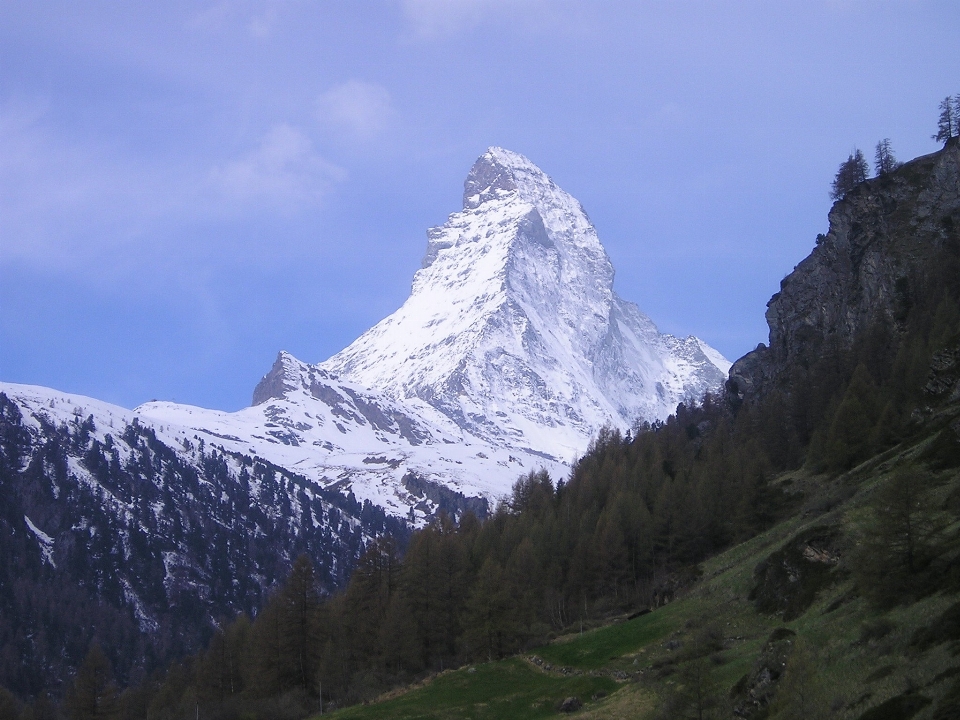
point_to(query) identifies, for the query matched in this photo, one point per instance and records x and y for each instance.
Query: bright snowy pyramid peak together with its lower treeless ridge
(511, 352)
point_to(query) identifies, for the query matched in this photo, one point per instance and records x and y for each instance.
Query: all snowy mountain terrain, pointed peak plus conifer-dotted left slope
(511, 352)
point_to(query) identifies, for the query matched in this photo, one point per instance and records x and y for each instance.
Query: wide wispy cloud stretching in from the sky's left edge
(67, 201)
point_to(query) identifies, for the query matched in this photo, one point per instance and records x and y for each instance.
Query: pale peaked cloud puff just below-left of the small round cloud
(285, 171)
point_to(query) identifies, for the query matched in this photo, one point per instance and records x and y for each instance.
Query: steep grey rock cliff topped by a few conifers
(888, 241)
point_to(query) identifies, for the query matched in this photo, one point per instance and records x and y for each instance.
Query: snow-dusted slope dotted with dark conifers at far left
(145, 535)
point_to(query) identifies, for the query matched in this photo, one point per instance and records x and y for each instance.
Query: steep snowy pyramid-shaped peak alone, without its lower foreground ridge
(513, 329)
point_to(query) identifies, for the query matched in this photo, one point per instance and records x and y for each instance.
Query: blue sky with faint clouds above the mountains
(188, 187)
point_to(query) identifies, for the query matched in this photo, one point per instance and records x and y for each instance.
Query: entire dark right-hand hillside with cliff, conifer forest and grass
(840, 441)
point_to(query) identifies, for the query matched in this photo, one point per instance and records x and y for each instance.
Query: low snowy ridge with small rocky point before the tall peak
(406, 457)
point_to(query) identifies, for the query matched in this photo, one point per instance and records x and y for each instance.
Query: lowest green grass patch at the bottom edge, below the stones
(507, 689)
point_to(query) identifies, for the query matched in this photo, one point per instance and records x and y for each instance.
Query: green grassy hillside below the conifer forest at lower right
(720, 648)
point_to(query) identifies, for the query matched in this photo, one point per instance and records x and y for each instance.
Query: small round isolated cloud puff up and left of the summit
(355, 110)
